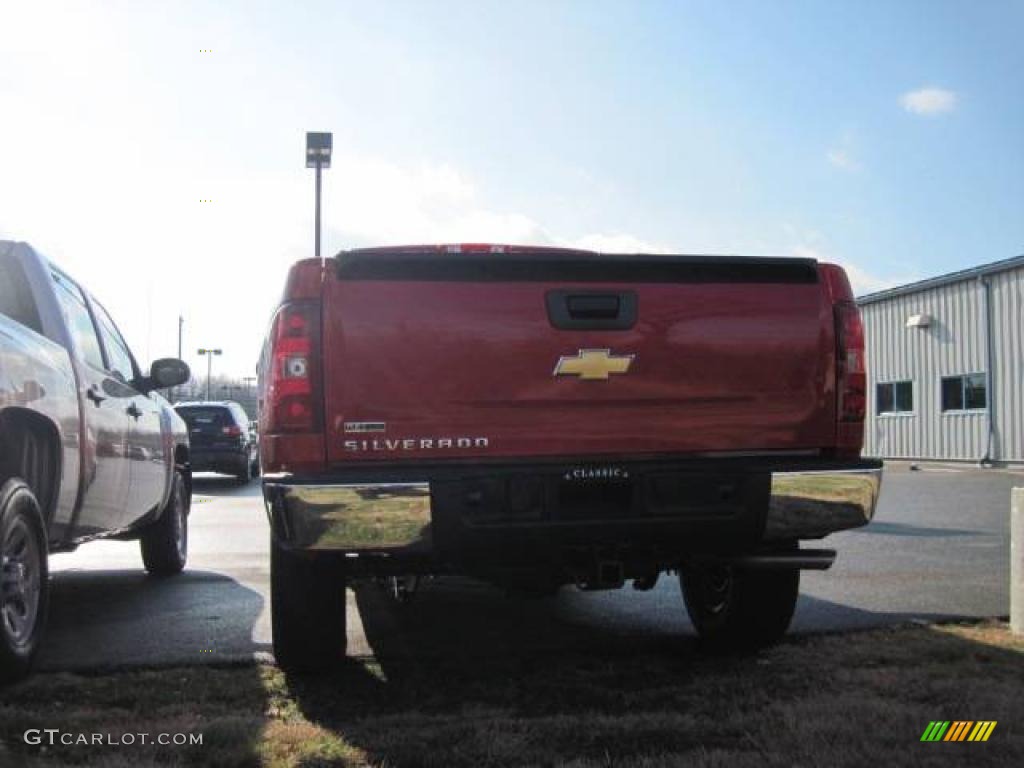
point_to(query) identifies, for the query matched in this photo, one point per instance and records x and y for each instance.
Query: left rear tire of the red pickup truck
(308, 611)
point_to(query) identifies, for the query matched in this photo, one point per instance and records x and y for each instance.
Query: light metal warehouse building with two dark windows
(946, 367)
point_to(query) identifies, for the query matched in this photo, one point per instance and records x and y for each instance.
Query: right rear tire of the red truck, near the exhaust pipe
(740, 611)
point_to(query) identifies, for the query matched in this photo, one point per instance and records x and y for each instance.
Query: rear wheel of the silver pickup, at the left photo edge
(25, 593)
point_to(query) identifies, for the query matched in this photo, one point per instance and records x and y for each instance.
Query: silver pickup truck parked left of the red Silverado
(89, 449)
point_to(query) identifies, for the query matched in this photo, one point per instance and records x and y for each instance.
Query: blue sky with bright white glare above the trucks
(887, 137)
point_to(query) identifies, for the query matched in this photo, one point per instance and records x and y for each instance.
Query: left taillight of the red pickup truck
(293, 395)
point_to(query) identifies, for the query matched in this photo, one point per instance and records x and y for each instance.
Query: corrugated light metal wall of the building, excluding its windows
(953, 345)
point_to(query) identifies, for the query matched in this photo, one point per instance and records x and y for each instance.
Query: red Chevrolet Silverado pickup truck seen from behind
(542, 417)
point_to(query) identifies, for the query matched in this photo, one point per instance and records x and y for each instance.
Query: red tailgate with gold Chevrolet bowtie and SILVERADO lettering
(433, 354)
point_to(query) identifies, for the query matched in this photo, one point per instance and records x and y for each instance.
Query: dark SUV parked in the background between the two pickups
(221, 439)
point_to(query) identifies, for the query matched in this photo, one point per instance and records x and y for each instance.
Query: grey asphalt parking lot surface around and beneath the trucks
(938, 549)
